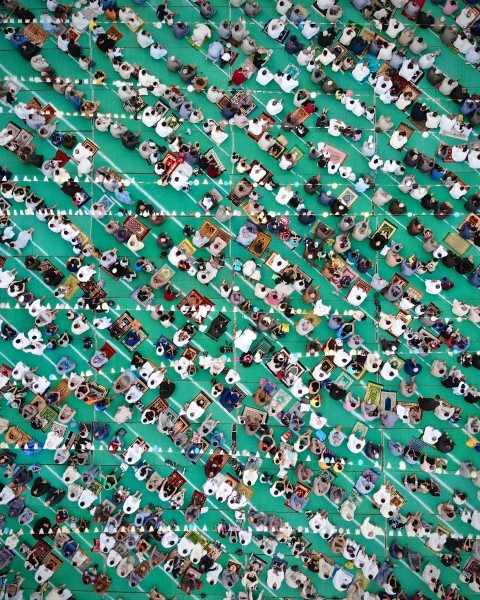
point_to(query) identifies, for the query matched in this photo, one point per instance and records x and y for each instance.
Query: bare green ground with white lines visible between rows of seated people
(183, 209)
